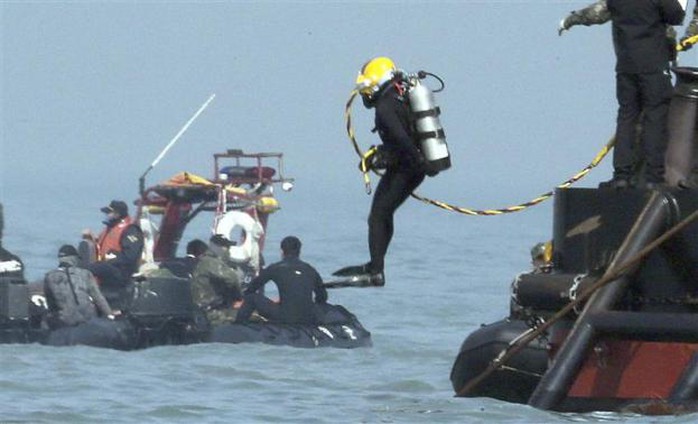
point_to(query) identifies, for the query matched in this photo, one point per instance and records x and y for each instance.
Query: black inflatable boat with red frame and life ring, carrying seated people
(160, 311)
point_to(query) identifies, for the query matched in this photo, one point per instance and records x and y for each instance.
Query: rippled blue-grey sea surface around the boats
(446, 275)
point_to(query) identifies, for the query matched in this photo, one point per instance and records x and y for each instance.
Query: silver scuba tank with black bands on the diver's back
(430, 133)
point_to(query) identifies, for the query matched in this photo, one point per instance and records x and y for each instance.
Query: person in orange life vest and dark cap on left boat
(118, 250)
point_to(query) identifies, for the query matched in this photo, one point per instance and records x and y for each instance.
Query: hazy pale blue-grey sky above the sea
(93, 91)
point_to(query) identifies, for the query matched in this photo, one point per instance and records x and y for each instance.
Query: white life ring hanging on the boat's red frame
(247, 249)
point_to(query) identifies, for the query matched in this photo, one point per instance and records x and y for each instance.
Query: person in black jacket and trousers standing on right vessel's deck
(643, 81)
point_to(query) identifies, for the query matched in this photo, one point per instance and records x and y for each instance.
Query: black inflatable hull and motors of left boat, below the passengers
(162, 313)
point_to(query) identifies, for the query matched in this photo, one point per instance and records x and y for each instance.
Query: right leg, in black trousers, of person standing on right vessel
(656, 97)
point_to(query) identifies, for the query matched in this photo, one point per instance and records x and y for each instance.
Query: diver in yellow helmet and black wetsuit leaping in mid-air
(405, 168)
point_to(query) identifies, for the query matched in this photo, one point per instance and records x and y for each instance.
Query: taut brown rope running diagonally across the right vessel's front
(527, 337)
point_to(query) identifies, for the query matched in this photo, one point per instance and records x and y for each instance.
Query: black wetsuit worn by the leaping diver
(405, 171)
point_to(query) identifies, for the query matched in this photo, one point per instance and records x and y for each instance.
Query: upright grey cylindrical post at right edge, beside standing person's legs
(683, 113)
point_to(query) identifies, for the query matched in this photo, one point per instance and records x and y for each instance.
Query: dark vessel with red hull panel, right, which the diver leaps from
(612, 323)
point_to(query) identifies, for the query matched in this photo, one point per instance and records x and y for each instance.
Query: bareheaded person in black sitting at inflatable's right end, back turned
(296, 281)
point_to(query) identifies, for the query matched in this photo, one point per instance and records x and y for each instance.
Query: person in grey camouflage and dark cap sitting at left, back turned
(72, 293)
